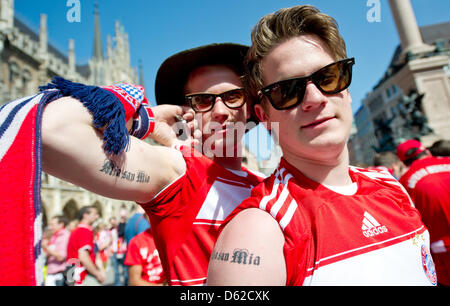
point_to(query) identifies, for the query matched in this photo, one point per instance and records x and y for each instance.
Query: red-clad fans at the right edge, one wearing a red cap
(424, 173)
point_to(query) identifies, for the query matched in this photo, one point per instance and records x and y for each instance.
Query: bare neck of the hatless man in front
(333, 172)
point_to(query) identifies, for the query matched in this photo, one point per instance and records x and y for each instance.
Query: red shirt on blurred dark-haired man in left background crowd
(81, 238)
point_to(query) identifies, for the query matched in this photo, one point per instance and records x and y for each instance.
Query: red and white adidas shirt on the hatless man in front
(367, 235)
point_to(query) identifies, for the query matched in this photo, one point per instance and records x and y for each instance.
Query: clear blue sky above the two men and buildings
(160, 28)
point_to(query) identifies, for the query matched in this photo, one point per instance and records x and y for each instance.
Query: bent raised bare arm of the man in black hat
(72, 150)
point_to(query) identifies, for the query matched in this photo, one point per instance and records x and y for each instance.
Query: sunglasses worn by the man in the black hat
(203, 102)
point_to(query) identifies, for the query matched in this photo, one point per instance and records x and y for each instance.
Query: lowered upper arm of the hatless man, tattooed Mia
(249, 252)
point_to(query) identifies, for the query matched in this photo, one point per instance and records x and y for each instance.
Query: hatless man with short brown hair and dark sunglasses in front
(316, 220)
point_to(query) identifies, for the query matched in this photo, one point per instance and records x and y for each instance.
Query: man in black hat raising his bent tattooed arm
(186, 194)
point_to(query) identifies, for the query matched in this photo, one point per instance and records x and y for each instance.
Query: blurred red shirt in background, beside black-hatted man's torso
(142, 251)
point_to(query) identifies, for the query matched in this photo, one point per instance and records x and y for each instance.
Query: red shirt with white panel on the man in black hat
(186, 215)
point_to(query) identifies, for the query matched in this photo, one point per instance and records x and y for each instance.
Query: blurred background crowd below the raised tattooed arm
(85, 252)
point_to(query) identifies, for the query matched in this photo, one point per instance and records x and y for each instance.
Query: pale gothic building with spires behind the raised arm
(28, 60)
